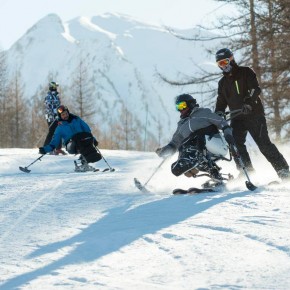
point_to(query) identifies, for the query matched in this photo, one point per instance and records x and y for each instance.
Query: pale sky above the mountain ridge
(17, 16)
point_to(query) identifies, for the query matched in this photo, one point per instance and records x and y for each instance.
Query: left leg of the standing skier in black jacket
(240, 133)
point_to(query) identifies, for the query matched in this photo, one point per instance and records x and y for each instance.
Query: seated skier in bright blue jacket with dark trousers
(77, 137)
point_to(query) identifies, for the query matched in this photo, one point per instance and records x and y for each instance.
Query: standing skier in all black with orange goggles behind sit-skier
(239, 89)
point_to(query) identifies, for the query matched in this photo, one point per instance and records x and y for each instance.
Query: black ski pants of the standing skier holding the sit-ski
(257, 127)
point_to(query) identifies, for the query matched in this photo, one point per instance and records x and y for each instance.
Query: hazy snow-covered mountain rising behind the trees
(122, 56)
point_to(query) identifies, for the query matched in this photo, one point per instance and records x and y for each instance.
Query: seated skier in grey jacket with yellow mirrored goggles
(189, 138)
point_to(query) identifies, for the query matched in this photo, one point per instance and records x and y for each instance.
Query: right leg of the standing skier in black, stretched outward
(259, 132)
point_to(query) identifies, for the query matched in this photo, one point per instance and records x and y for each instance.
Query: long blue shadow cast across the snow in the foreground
(107, 234)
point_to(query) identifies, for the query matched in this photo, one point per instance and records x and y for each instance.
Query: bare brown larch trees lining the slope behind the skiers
(259, 32)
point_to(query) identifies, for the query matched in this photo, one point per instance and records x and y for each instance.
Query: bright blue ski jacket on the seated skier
(66, 130)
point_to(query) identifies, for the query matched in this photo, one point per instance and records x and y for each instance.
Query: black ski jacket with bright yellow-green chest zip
(239, 88)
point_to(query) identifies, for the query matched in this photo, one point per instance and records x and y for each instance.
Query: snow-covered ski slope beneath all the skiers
(66, 230)
